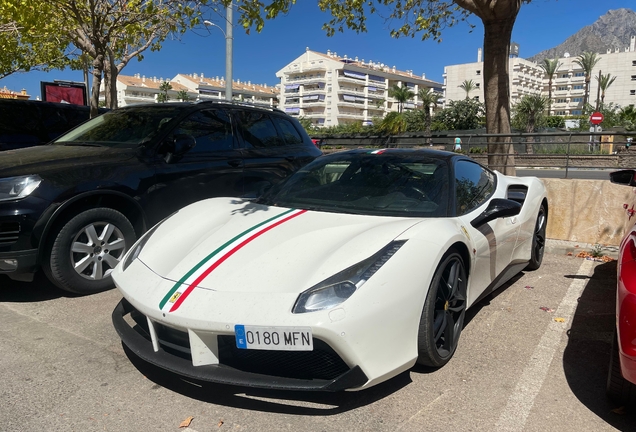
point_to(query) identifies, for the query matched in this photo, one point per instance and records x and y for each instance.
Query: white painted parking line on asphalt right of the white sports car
(521, 401)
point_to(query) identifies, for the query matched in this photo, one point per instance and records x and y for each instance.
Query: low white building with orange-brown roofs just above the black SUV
(141, 89)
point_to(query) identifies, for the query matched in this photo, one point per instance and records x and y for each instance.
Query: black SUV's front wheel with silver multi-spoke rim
(86, 250)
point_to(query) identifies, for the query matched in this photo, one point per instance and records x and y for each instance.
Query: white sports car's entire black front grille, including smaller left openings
(321, 363)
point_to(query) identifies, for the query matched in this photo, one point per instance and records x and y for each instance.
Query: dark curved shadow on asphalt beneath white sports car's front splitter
(273, 401)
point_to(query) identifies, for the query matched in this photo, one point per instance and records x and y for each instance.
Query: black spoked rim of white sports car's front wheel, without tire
(450, 306)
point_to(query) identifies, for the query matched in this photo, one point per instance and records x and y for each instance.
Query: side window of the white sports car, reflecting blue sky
(473, 185)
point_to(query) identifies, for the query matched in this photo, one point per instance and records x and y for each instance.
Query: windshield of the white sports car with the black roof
(390, 184)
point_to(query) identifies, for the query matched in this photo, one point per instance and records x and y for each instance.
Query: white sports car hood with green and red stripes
(233, 245)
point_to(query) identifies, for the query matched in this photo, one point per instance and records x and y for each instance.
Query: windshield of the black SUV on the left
(132, 126)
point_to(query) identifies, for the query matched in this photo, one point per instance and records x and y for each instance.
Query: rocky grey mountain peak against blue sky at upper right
(611, 31)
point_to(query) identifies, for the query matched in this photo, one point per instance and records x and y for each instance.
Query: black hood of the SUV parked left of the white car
(52, 158)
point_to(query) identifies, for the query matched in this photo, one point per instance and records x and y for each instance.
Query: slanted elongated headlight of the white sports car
(336, 289)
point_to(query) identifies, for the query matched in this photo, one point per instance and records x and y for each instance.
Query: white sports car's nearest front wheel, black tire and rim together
(443, 314)
